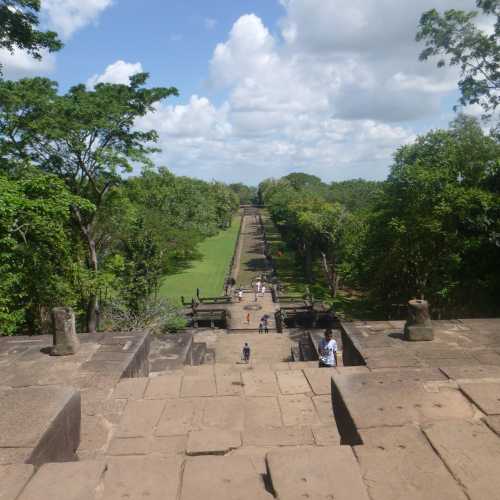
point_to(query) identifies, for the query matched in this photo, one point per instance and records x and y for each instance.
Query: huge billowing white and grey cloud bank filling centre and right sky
(335, 95)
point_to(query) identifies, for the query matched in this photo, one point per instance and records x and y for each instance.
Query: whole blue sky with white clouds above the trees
(267, 87)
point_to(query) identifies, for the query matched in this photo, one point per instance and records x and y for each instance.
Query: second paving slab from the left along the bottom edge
(71, 481)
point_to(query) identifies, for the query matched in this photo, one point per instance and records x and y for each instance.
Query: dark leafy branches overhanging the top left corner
(18, 22)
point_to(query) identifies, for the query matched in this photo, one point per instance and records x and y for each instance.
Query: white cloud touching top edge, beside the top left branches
(68, 16)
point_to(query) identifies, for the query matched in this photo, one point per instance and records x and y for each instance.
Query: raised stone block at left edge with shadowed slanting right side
(44, 420)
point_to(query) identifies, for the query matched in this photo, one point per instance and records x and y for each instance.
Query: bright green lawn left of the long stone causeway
(208, 273)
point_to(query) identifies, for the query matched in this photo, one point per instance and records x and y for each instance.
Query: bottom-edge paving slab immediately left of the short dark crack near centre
(215, 478)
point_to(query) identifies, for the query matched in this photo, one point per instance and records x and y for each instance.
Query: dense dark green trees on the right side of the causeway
(432, 229)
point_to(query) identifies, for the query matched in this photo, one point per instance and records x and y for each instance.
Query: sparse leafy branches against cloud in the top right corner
(454, 36)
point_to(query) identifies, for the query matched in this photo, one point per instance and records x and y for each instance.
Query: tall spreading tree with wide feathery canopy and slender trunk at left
(85, 137)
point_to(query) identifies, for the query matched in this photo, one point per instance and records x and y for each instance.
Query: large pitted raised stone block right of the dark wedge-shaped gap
(373, 402)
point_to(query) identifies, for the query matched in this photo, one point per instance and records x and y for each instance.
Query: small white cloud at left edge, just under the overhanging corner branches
(20, 64)
